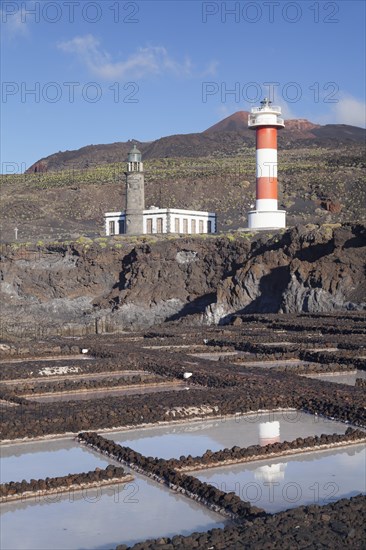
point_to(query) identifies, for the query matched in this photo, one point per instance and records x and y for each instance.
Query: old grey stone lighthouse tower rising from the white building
(135, 194)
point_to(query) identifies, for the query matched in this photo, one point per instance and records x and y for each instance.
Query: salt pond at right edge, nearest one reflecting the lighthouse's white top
(309, 478)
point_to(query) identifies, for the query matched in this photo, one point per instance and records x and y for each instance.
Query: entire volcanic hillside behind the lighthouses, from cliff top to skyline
(64, 196)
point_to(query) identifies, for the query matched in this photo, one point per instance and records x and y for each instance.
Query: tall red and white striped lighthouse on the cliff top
(266, 119)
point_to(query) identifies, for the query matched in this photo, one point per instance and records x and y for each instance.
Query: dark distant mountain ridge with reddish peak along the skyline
(225, 138)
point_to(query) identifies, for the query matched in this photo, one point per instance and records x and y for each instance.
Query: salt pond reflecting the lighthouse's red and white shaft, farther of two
(251, 429)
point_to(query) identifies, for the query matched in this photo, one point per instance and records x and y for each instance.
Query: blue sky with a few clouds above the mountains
(80, 72)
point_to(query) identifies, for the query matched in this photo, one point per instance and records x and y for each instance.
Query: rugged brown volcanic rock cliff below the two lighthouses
(89, 287)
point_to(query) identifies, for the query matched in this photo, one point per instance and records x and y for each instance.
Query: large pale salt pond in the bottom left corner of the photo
(102, 518)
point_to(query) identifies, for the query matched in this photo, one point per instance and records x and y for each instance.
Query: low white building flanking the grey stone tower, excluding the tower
(165, 220)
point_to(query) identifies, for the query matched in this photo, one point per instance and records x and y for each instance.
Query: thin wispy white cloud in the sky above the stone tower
(145, 61)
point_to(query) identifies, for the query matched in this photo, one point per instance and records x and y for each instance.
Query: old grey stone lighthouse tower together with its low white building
(136, 220)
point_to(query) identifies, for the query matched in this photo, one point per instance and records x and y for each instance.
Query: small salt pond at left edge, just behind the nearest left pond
(41, 459)
